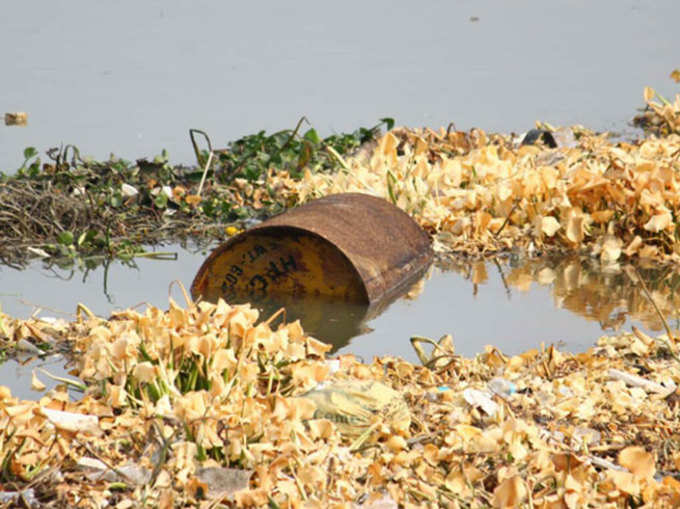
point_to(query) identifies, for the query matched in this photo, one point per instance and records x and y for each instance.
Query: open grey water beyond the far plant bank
(132, 77)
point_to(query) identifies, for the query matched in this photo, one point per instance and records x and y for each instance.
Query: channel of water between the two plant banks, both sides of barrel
(511, 304)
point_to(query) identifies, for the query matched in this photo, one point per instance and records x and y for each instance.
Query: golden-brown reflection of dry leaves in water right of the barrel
(609, 295)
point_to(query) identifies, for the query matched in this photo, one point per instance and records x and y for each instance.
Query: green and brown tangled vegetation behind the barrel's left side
(72, 208)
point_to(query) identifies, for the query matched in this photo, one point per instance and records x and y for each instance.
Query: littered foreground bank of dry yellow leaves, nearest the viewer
(178, 400)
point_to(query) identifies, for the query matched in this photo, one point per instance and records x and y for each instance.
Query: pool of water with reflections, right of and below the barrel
(511, 304)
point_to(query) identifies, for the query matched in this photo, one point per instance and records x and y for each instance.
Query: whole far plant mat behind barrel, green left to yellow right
(474, 192)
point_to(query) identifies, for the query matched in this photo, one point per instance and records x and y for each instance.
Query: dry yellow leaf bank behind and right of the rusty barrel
(480, 194)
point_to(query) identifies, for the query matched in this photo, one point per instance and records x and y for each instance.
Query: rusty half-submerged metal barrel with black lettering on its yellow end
(351, 246)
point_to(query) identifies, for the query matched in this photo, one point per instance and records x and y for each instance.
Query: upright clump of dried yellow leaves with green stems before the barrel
(210, 365)
